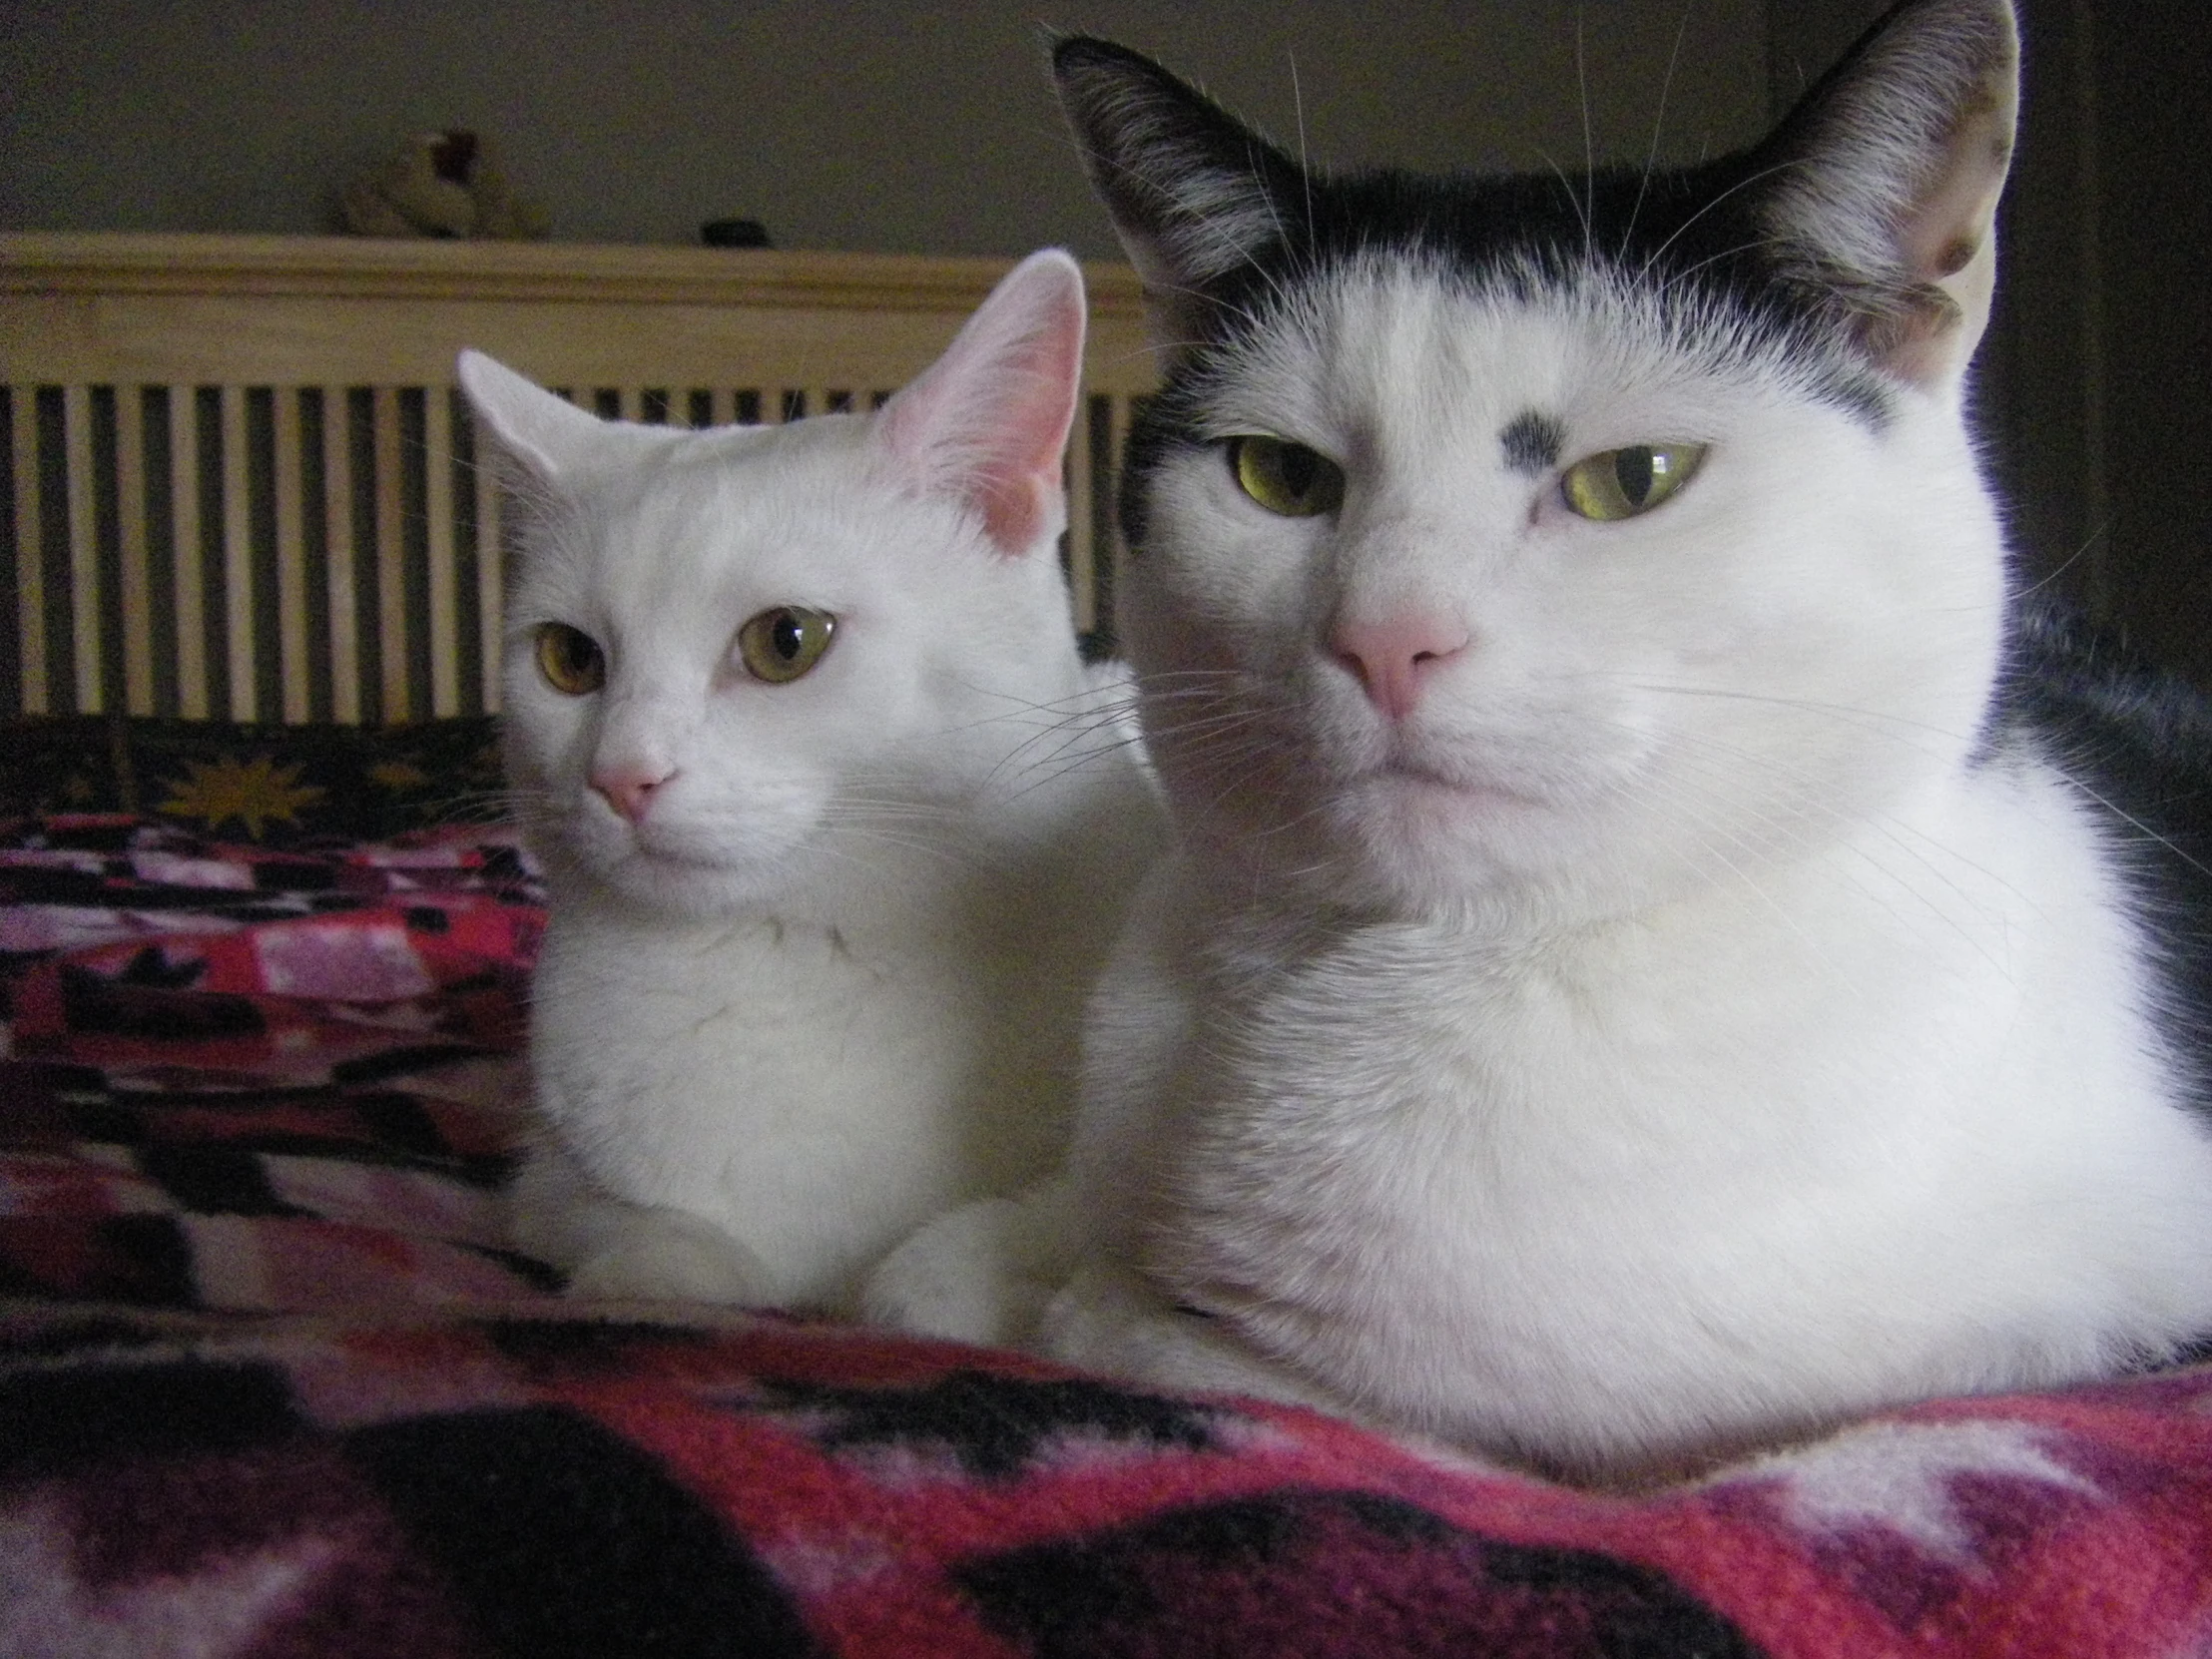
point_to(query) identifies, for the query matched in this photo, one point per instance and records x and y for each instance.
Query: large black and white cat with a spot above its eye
(1667, 948)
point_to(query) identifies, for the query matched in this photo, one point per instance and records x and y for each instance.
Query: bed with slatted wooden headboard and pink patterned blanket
(271, 1377)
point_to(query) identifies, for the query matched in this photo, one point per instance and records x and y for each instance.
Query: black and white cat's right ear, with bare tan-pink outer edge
(1886, 182)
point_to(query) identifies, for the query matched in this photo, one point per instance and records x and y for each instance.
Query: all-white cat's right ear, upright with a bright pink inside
(990, 419)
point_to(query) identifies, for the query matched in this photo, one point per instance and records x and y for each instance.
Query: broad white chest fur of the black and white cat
(1879, 1127)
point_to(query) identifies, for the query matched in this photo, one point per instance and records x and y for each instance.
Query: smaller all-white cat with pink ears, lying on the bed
(835, 822)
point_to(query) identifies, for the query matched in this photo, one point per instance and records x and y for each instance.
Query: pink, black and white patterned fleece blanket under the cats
(273, 1386)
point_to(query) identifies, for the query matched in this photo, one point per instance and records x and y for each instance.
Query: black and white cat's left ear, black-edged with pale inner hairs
(1191, 189)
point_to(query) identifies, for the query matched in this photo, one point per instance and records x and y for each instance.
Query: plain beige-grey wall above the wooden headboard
(875, 127)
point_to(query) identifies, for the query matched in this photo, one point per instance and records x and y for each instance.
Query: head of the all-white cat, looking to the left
(755, 658)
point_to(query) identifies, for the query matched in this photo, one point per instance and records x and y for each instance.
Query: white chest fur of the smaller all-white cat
(811, 1089)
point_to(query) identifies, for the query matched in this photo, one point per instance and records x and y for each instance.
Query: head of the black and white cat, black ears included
(1519, 536)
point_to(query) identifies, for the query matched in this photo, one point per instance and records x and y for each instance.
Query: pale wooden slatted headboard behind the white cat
(240, 481)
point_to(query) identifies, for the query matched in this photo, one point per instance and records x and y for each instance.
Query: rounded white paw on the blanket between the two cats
(974, 1275)
